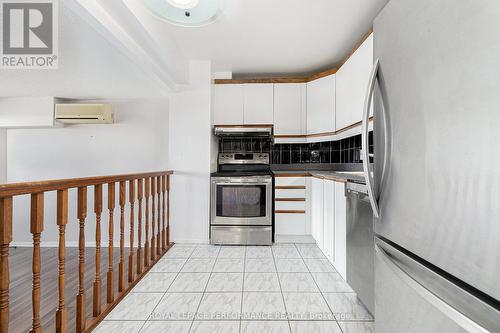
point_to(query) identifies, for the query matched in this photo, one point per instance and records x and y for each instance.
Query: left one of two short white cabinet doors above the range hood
(228, 104)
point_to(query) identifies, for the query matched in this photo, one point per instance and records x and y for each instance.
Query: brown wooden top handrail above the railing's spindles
(15, 189)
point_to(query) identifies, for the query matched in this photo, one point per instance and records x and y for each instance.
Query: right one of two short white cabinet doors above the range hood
(258, 103)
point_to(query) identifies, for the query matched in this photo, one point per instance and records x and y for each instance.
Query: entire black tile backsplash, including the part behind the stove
(342, 151)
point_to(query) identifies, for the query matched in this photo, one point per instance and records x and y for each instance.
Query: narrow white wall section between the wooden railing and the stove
(189, 157)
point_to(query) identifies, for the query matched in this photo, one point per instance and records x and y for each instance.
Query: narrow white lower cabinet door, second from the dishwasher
(328, 218)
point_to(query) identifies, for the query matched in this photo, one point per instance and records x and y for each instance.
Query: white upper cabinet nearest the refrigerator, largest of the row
(352, 81)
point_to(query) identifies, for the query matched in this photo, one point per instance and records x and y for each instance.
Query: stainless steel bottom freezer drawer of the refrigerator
(411, 297)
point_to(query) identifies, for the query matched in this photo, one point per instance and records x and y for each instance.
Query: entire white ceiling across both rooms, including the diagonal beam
(118, 49)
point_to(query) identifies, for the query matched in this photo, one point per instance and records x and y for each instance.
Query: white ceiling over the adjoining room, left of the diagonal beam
(89, 67)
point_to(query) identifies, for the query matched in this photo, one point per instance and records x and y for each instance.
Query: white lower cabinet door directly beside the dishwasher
(340, 230)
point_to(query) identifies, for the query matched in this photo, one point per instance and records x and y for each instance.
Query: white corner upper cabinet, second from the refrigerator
(321, 105)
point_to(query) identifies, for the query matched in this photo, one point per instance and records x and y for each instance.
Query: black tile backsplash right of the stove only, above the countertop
(347, 150)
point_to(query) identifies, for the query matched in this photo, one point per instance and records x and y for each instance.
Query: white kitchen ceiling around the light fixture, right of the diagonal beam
(270, 36)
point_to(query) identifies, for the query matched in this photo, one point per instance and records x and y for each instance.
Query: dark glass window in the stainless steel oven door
(241, 201)
